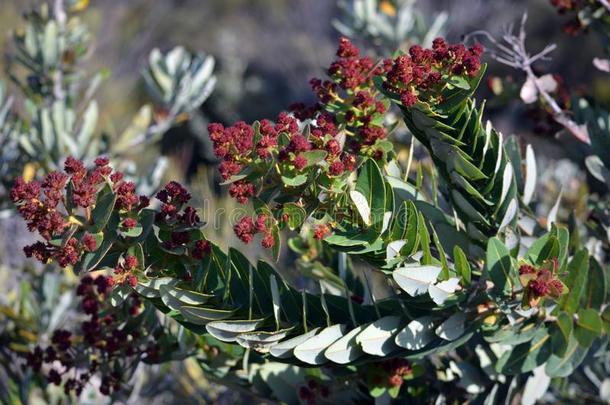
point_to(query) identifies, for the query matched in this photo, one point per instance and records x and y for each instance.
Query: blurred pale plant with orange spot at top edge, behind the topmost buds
(388, 25)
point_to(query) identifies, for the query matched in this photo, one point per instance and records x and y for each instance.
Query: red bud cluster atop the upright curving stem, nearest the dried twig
(419, 76)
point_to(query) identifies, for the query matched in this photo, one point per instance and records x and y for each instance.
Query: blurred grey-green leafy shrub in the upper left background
(62, 116)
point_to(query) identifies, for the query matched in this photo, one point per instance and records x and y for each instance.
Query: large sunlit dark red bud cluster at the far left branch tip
(60, 208)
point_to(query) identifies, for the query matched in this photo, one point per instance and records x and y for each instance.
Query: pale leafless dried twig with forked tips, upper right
(512, 52)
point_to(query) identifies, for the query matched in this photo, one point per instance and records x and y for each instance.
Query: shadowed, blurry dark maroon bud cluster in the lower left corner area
(102, 346)
